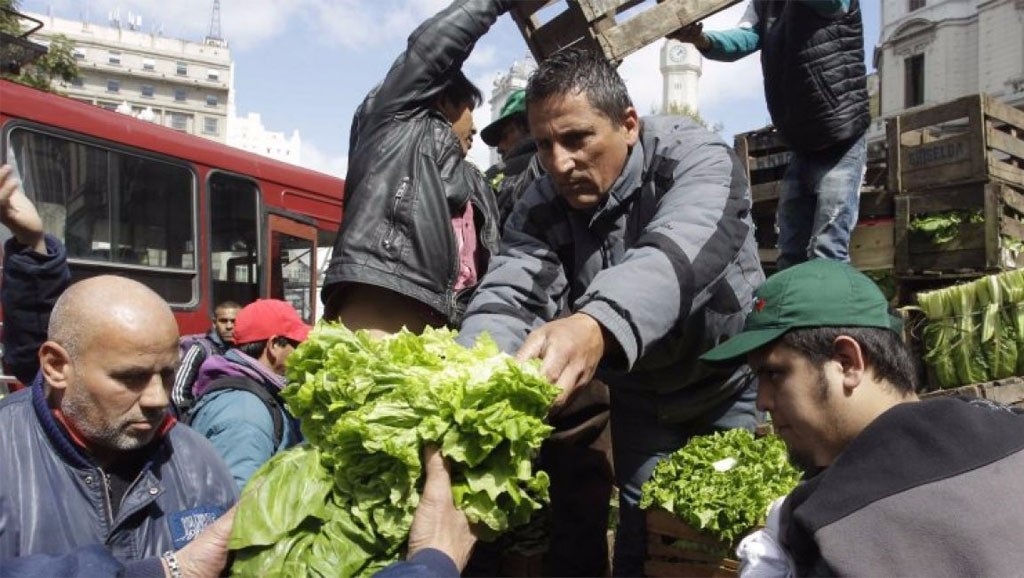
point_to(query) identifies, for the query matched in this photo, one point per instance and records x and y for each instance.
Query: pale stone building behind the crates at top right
(932, 52)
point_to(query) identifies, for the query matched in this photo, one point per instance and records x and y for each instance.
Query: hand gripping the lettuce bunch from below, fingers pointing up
(438, 524)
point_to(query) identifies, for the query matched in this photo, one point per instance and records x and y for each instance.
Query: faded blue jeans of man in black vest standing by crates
(818, 210)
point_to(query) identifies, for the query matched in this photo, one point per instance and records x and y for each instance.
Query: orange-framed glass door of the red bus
(293, 265)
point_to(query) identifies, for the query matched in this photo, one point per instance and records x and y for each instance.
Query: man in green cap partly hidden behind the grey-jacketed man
(519, 168)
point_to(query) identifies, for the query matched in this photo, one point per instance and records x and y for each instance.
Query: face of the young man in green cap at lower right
(805, 404)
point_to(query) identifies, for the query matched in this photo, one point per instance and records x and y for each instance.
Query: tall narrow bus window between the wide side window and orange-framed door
(235, 262)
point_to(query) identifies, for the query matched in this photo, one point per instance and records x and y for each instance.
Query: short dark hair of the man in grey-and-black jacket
(582, 72)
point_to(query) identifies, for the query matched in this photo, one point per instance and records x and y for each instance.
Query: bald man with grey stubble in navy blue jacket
(98, 478)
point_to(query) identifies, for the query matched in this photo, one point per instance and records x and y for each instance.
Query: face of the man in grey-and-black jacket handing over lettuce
(582, 150)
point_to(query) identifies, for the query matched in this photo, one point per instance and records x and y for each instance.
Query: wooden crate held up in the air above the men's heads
(617, 28)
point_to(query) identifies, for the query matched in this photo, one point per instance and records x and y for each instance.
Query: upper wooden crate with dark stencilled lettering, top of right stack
(972, 140)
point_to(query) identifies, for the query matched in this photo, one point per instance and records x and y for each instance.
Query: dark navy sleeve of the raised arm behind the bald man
(32, 283)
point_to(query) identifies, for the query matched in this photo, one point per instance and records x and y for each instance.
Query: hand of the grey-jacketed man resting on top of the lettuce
(570, 350)
